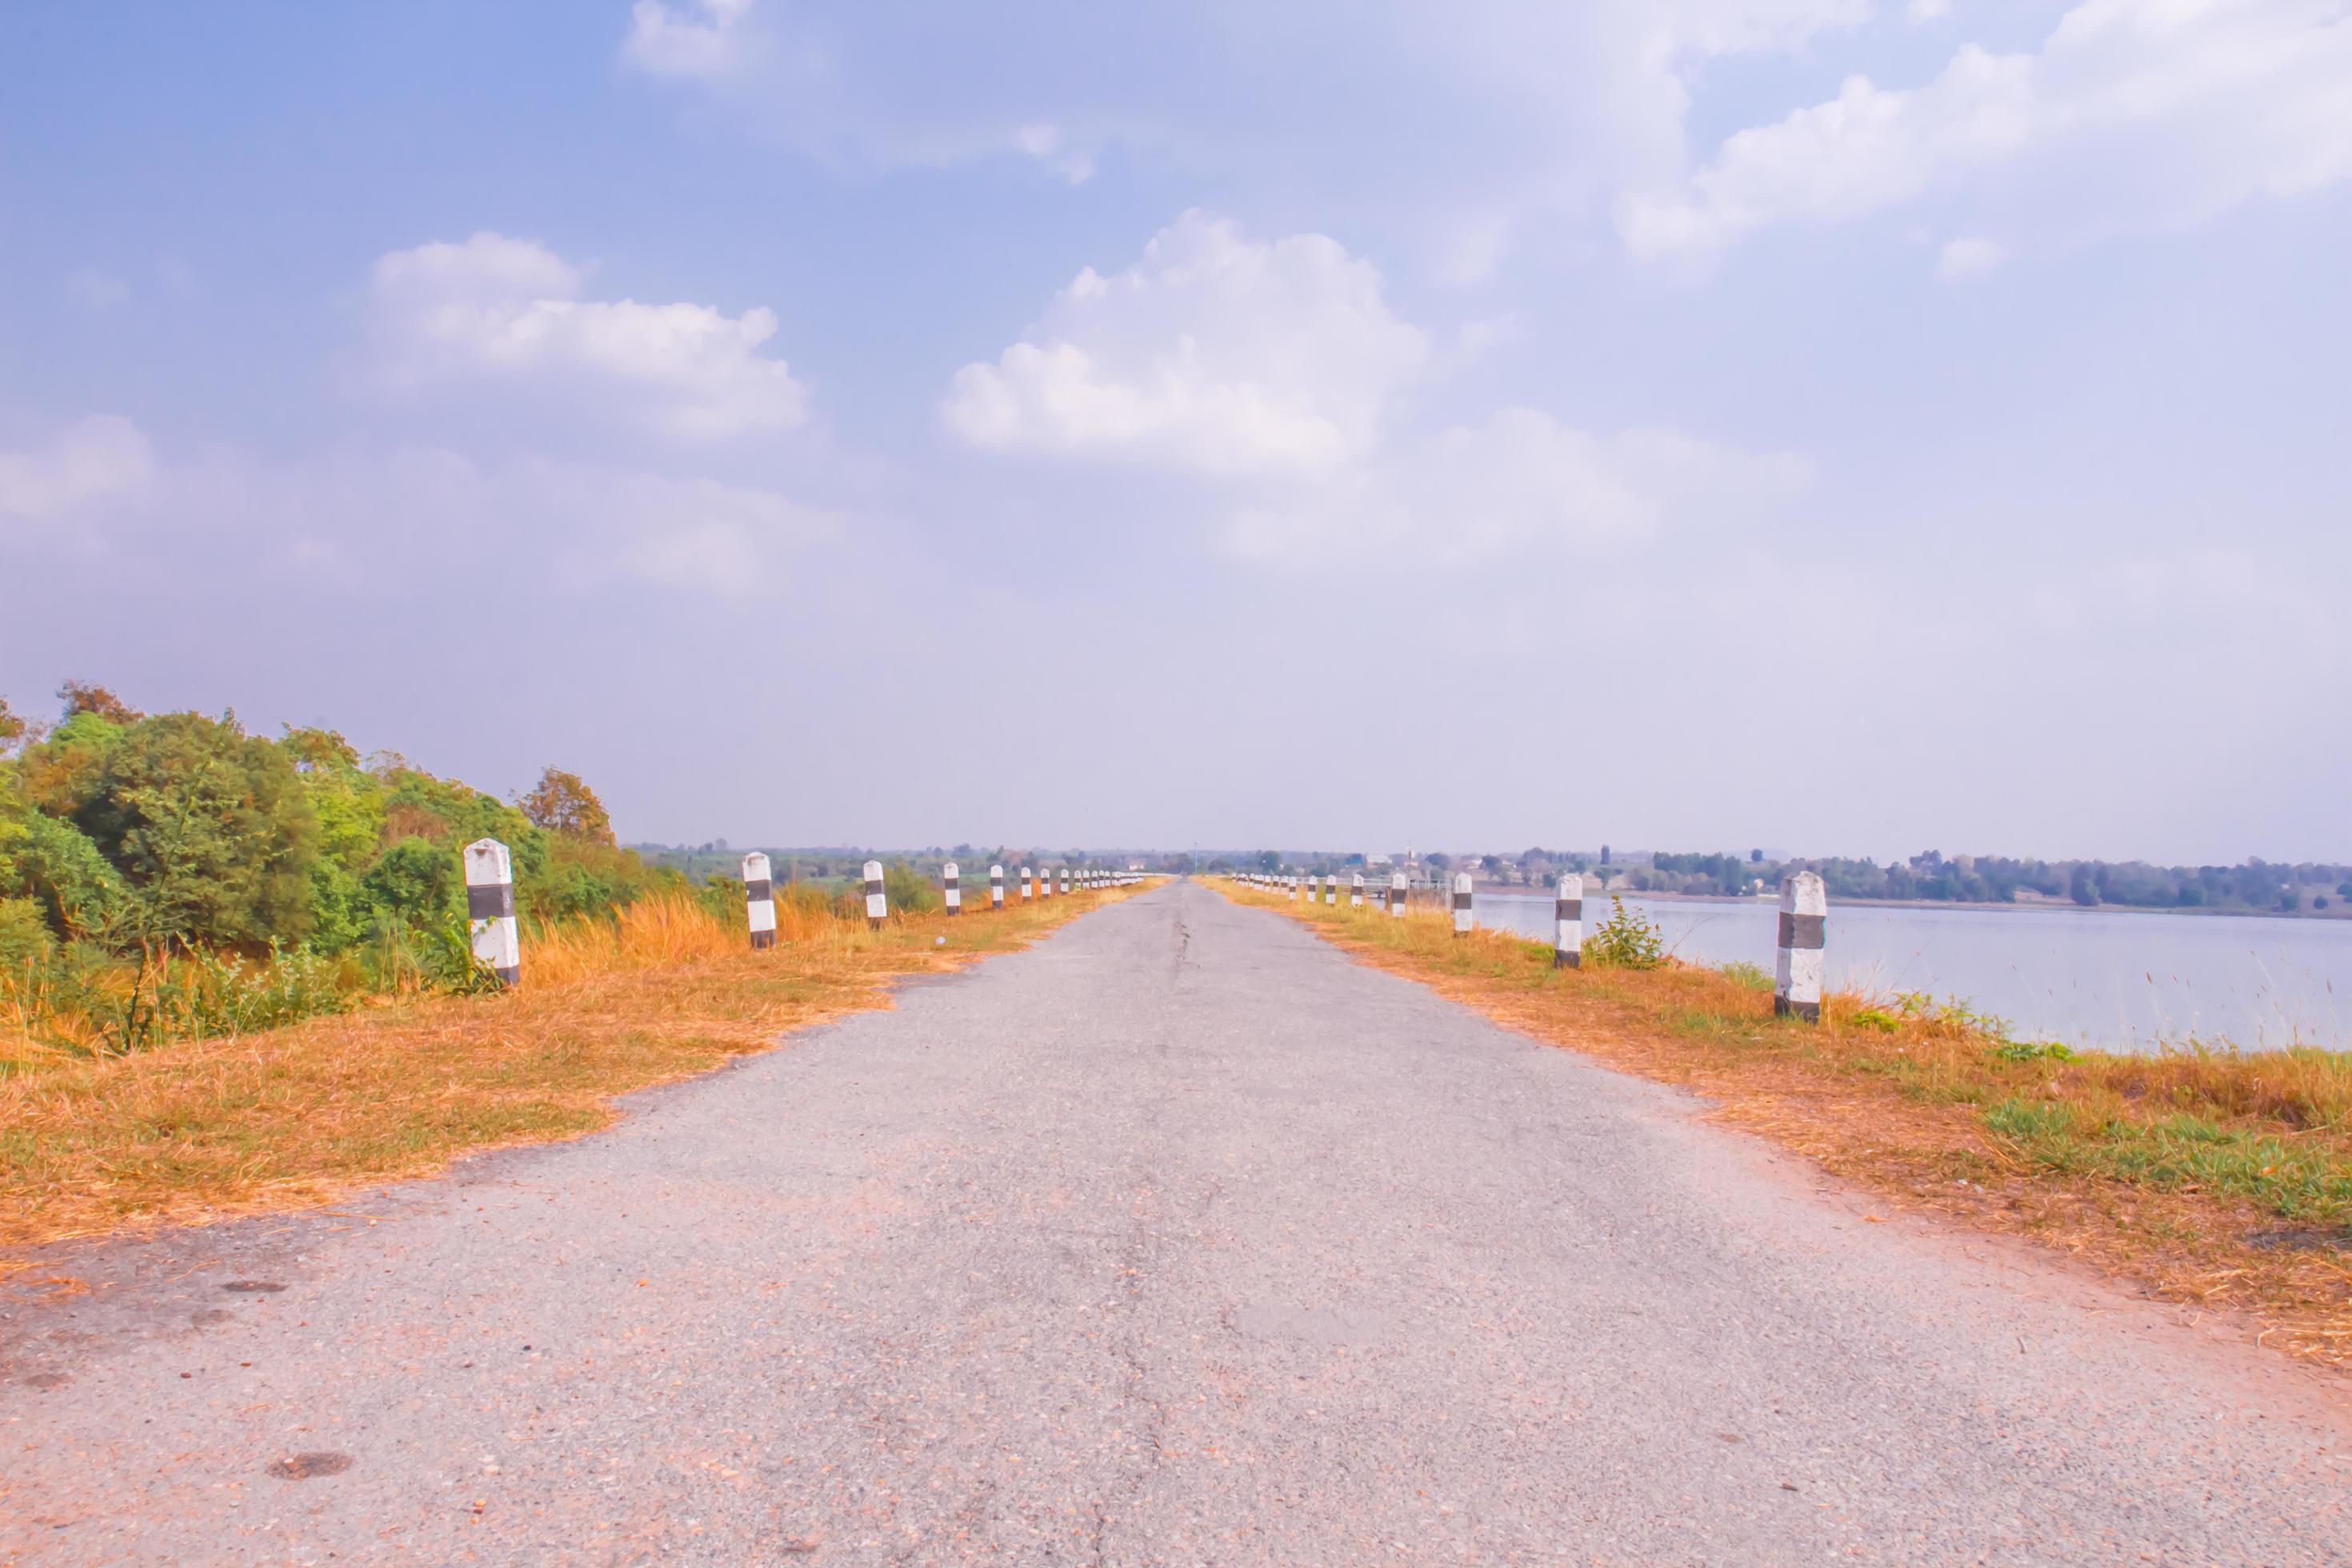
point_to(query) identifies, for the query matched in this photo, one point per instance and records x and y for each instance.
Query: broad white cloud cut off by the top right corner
(2134, 116)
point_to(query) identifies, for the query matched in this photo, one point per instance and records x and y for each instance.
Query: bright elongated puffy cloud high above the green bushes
(497, 311)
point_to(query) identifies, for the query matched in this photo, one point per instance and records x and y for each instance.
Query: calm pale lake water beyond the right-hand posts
(2085, 977)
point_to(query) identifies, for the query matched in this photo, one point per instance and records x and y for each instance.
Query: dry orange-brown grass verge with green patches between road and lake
(2205, 1177)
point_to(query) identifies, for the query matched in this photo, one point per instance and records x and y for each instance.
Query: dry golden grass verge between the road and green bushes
(206, 1130)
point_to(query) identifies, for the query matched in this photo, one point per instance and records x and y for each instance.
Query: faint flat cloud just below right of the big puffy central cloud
(1514, 485)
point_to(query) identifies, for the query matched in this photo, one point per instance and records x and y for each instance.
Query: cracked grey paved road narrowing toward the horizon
(1175, 1240)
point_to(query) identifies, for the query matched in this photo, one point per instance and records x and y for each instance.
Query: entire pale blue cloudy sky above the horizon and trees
(1850, 427)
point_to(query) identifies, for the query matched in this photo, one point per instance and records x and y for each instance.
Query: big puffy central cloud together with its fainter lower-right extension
(1278, 375)
